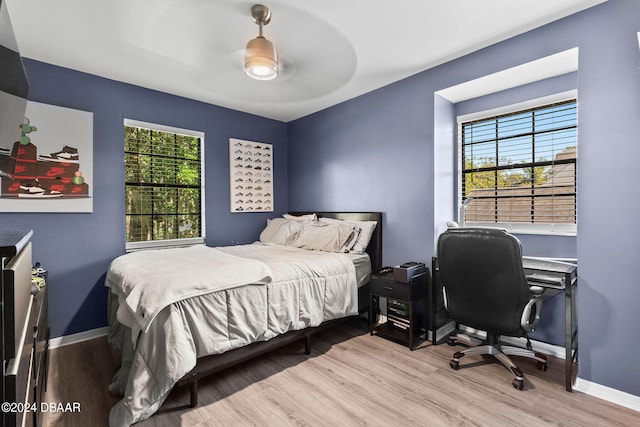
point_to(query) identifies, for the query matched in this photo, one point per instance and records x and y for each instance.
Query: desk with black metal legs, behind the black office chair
(555, 277)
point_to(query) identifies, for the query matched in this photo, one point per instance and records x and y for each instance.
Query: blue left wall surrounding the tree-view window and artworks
(77, 248)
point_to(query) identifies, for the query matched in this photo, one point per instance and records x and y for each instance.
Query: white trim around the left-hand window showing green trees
(172, 243)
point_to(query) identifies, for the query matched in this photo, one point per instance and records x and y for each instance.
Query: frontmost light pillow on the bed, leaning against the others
(328, 237)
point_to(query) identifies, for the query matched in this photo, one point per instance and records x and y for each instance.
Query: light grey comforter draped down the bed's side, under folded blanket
(306, 289)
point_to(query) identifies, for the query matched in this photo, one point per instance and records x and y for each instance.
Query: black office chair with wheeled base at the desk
(486, 289)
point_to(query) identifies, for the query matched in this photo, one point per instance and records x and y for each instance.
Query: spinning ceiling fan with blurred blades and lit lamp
(296, 55)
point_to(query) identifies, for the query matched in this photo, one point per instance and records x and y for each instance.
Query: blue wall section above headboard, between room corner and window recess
(372, 153)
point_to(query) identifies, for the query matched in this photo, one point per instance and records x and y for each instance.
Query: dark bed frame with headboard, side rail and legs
(208, 365)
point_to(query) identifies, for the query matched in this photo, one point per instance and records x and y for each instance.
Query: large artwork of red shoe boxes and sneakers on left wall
(50, 168)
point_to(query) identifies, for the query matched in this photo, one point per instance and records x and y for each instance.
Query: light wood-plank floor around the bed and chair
(350, 379)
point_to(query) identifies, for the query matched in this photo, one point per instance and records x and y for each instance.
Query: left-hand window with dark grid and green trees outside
(163, 185)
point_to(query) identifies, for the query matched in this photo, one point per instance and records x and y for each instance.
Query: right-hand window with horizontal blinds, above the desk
(518, 170)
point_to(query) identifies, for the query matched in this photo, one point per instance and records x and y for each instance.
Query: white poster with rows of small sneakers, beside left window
(250, 176)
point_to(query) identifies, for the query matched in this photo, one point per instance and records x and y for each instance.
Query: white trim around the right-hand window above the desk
(517, 228)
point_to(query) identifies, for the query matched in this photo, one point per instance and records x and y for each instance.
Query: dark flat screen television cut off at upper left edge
(14, 86)
